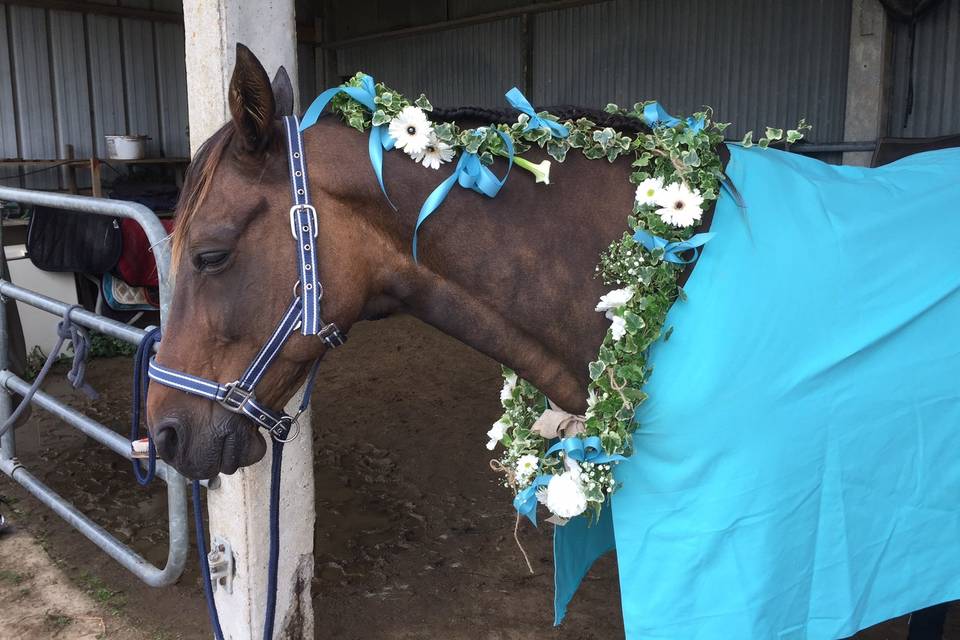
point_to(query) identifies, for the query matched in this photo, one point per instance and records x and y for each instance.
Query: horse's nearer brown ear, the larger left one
(251, 100)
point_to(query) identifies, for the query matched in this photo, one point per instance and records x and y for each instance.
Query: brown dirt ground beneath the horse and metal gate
(414, 535)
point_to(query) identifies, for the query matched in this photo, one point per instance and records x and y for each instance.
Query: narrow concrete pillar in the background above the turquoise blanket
(870, 46)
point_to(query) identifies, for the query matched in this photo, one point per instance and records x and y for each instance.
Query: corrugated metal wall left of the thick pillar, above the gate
(74, 78)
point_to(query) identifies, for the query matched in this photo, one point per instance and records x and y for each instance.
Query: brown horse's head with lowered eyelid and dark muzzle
(235, 269)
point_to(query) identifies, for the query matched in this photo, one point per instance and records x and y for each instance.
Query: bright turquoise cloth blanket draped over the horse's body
(795, 473)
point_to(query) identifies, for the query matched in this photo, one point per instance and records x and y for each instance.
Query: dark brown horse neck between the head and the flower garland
(512, 276)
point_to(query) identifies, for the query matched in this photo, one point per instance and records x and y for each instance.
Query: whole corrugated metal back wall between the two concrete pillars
(756, 62)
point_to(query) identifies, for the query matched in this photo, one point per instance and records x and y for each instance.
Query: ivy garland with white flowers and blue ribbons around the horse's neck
(678, 174)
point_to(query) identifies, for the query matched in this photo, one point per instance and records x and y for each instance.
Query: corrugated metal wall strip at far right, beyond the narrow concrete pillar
(936, 99)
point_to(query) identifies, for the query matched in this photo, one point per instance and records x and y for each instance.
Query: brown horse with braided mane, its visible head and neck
(512, 277)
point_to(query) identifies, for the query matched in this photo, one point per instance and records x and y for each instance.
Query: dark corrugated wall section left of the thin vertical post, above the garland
(472, 65)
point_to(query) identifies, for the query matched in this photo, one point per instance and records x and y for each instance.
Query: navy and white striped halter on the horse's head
(303, 313)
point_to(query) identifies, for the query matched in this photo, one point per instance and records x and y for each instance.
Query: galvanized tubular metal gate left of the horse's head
(9, 382)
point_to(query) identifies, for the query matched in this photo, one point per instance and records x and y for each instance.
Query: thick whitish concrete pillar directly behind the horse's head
(239, 508)
